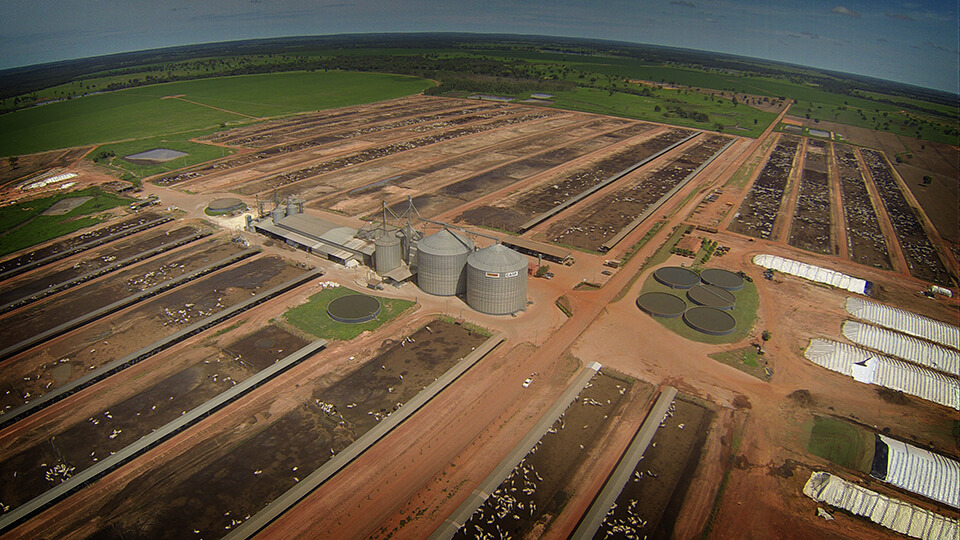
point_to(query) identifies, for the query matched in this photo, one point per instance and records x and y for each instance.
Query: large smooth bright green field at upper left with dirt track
(139, 113)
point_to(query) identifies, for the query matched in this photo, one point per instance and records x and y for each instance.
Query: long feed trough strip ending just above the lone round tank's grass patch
(150, 350)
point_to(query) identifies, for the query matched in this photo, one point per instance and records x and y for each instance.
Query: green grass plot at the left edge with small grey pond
(22, 226)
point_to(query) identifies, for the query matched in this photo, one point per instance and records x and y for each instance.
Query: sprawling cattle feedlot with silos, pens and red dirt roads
(451, 317)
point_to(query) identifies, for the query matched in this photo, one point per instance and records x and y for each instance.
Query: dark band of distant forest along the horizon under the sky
(411, 54)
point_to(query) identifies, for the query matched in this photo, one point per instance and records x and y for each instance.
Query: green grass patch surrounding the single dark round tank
(312, 317)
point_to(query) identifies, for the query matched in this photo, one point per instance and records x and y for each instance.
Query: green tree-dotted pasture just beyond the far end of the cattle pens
(738, 120)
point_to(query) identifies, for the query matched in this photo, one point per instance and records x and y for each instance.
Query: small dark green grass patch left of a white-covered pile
(845, 444)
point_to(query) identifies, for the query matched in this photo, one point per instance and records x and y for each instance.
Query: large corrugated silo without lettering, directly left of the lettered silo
(441, 263)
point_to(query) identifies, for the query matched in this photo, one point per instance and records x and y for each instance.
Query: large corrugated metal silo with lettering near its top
(497, 280)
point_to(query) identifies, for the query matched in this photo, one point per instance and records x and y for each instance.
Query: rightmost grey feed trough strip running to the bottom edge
(621, 475)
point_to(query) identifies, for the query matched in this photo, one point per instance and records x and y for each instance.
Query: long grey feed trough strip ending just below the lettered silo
(303, 488)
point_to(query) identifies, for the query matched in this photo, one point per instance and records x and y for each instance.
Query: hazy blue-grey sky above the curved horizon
(912, 42)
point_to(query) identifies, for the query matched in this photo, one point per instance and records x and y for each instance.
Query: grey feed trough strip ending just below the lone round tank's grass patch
(104, 466)
